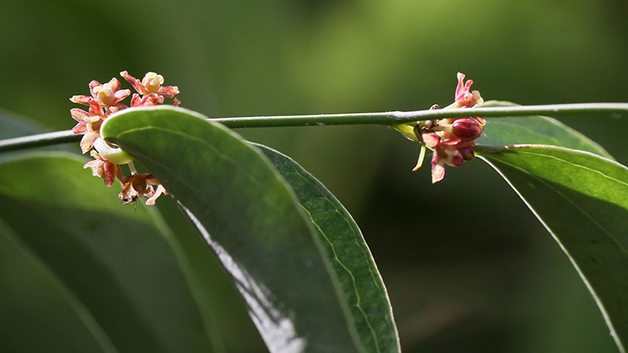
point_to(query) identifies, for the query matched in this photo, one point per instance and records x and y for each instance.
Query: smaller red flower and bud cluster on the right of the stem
(451, 139)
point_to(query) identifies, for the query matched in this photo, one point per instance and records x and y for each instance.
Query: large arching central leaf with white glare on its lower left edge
(251, 219)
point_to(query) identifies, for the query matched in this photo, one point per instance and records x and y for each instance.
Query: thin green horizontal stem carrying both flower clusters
(385, 118)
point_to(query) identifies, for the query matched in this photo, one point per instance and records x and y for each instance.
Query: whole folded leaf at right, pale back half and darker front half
(572, 185)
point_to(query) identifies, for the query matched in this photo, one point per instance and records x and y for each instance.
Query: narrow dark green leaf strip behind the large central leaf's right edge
(351, 258)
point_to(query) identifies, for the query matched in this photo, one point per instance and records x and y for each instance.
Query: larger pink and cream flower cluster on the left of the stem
(105, 99)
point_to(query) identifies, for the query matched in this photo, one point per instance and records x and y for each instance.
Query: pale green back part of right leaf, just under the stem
(538, 130)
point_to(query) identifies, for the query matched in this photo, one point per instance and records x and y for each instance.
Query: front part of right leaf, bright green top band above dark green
(582, 199)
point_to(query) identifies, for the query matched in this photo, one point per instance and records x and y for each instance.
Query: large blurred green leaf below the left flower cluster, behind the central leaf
(113, 261)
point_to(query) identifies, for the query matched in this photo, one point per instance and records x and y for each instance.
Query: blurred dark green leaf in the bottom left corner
(36, 312)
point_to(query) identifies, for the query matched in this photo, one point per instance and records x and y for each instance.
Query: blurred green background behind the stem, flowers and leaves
(467, 266)
